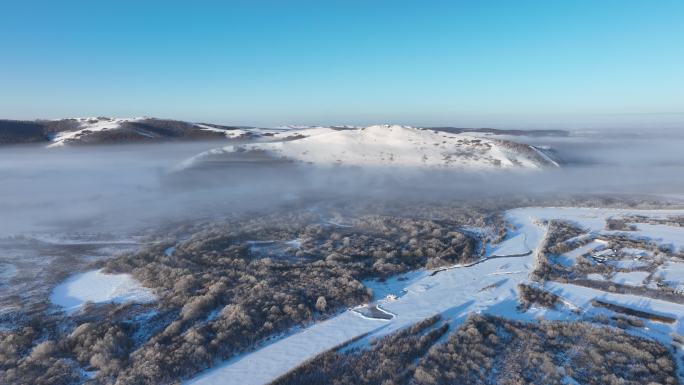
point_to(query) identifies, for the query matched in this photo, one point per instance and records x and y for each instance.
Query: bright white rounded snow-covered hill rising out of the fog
(393, 145)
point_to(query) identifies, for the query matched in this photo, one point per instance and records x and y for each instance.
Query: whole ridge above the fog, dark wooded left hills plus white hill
(379, 145)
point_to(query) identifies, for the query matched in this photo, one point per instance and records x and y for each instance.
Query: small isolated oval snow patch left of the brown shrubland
(98, 287)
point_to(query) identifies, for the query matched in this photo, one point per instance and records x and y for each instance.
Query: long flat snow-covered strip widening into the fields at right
(489, 287)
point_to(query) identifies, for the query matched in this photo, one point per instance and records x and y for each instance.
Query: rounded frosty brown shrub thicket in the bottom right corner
(490, 350)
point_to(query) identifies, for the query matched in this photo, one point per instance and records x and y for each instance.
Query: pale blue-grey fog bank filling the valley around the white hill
(103, 189)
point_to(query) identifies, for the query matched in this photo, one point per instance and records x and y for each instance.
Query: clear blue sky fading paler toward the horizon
(346, 61)
